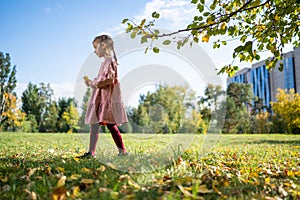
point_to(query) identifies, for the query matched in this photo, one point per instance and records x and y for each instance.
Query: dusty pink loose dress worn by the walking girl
(105, 104)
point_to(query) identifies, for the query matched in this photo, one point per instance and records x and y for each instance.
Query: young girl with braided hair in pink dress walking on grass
(105, 104)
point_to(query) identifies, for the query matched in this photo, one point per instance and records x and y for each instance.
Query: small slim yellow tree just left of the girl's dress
(71, 116)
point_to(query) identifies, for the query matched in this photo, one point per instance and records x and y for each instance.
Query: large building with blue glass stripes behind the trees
(266, 82)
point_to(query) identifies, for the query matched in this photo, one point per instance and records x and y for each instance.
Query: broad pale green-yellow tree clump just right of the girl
(164, 110)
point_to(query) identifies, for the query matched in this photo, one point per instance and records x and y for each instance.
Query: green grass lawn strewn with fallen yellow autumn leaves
(42, 166)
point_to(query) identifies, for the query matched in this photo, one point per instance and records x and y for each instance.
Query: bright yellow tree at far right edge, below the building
(287, 107)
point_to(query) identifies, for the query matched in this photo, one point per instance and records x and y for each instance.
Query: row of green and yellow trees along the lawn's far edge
(175, 109)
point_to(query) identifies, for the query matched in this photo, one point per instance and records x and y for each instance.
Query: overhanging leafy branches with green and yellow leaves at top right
(259, 25)
